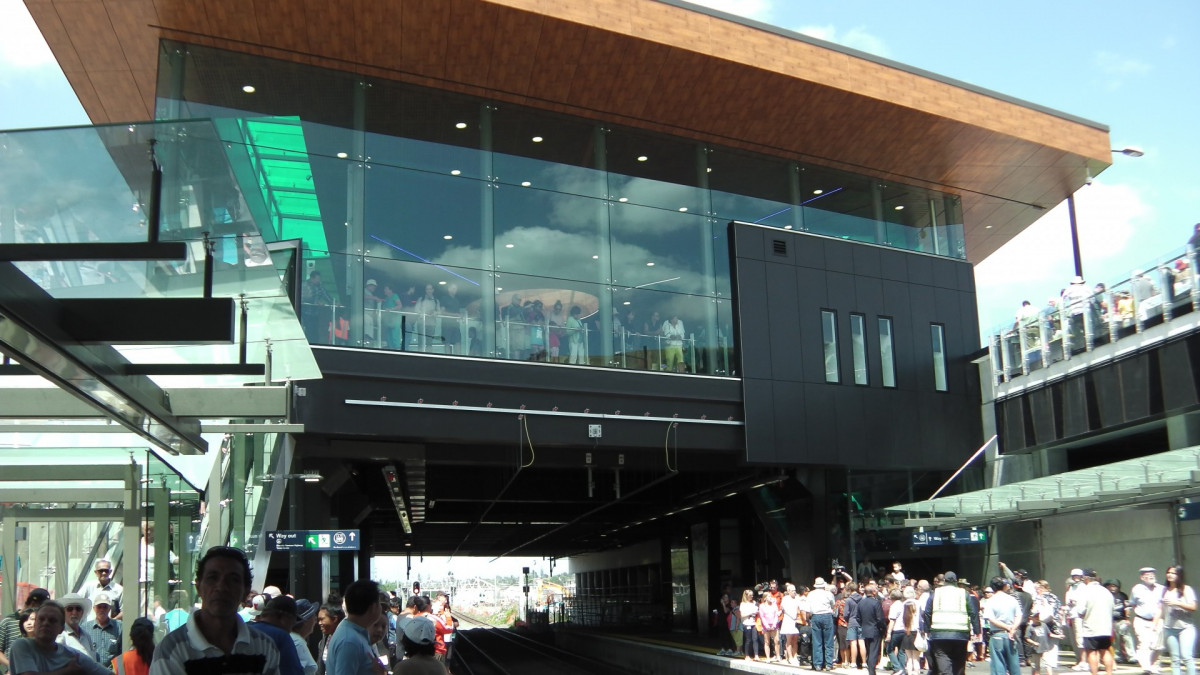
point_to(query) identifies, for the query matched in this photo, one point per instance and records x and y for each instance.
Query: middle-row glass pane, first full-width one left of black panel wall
(662, 250)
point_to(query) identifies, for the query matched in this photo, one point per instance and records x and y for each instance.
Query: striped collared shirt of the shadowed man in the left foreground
(185, 652)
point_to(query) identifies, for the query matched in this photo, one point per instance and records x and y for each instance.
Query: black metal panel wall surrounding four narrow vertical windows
(844, 425)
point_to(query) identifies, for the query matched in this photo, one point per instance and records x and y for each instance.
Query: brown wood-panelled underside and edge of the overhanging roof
(650, 64)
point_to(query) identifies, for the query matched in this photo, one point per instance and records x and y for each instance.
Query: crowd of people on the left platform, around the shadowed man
(231, 630)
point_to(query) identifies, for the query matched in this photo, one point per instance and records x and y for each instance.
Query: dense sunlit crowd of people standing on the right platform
(909, 626)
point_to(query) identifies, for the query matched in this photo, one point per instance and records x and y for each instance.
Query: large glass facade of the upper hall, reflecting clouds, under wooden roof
(449, 224)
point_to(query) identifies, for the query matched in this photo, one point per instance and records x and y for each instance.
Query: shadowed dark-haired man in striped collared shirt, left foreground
(215, 641)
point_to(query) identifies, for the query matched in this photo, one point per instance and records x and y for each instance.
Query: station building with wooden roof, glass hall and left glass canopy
(673, 295)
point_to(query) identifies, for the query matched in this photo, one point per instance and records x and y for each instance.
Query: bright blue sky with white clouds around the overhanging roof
(1135, 68)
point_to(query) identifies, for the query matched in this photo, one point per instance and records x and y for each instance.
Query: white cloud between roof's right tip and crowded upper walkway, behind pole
(1039, 264)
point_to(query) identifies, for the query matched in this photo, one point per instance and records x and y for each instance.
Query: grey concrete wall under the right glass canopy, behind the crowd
(1117, 543)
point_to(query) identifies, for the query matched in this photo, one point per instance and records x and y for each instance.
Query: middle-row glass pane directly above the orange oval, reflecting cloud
(553, 235)
